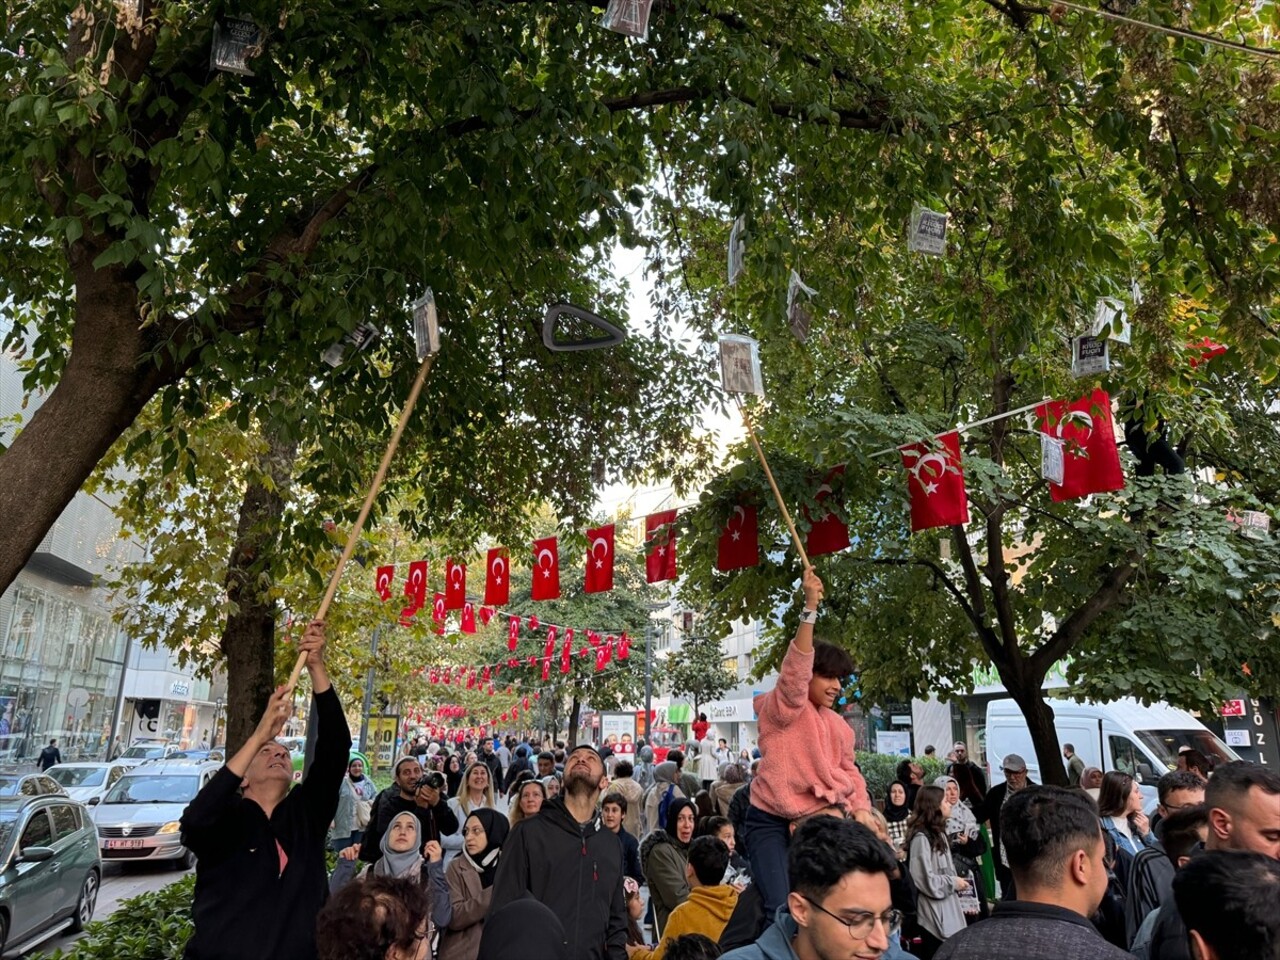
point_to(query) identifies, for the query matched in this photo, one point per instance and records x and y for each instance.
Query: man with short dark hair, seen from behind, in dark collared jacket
(1055, 851)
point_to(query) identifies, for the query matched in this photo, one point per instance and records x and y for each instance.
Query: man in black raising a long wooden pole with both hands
(260, 876)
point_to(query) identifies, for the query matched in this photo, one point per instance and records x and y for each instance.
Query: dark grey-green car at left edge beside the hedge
(51, 872)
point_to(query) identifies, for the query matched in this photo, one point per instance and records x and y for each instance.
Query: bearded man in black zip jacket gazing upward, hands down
(570, 862)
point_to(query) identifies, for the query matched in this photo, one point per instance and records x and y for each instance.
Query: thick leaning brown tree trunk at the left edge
(102, 392)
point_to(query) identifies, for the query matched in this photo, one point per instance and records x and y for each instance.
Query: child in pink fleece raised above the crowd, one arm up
(807, 752)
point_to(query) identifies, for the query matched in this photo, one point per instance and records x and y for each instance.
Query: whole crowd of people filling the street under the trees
(499, 851)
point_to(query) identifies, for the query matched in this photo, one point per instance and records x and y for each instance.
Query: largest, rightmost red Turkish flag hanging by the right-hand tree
(1091, 461)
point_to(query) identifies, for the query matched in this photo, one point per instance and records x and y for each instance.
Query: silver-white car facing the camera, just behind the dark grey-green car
(139, 817)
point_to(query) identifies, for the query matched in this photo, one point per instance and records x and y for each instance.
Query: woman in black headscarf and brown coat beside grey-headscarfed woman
(470, 880)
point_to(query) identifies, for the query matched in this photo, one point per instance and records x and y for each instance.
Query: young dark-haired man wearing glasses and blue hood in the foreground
(840, 906)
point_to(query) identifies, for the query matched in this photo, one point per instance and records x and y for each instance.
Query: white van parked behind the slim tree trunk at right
(1122, 735)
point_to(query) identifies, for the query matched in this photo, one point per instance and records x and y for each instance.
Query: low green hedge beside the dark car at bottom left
(154, 926)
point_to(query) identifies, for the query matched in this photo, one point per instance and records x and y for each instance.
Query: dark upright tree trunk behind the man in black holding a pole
(249, 638)
